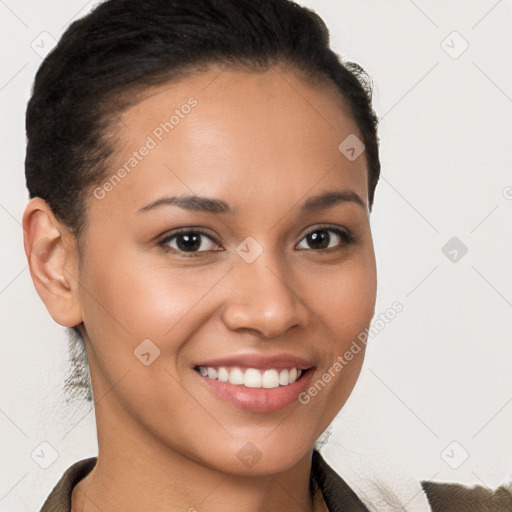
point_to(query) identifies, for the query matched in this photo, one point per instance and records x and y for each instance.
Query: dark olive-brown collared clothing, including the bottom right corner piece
(338, 496)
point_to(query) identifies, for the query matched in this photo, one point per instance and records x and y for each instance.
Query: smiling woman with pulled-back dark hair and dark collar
(202, 175)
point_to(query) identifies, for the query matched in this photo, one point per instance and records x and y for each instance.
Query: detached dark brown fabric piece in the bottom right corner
(452, 497)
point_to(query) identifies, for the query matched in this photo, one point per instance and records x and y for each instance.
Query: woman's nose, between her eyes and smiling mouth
(263, 301)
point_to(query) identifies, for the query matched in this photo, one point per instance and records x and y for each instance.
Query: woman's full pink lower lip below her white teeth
(259, 399)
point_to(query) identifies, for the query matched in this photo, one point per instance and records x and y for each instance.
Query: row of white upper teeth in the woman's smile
(251, 377)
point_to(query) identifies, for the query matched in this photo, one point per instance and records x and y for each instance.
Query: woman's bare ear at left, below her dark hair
(53, 261)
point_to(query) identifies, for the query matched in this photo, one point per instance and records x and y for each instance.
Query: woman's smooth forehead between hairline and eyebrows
(229, 134)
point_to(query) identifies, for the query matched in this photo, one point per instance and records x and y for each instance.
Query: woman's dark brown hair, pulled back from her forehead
(124, 46)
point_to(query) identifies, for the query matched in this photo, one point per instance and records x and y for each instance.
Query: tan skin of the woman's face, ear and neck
(264, 143)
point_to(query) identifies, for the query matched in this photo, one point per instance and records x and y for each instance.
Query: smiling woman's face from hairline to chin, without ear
(256, 279)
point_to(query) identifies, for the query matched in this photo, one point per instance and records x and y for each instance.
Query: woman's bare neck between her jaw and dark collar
(134, 473)
